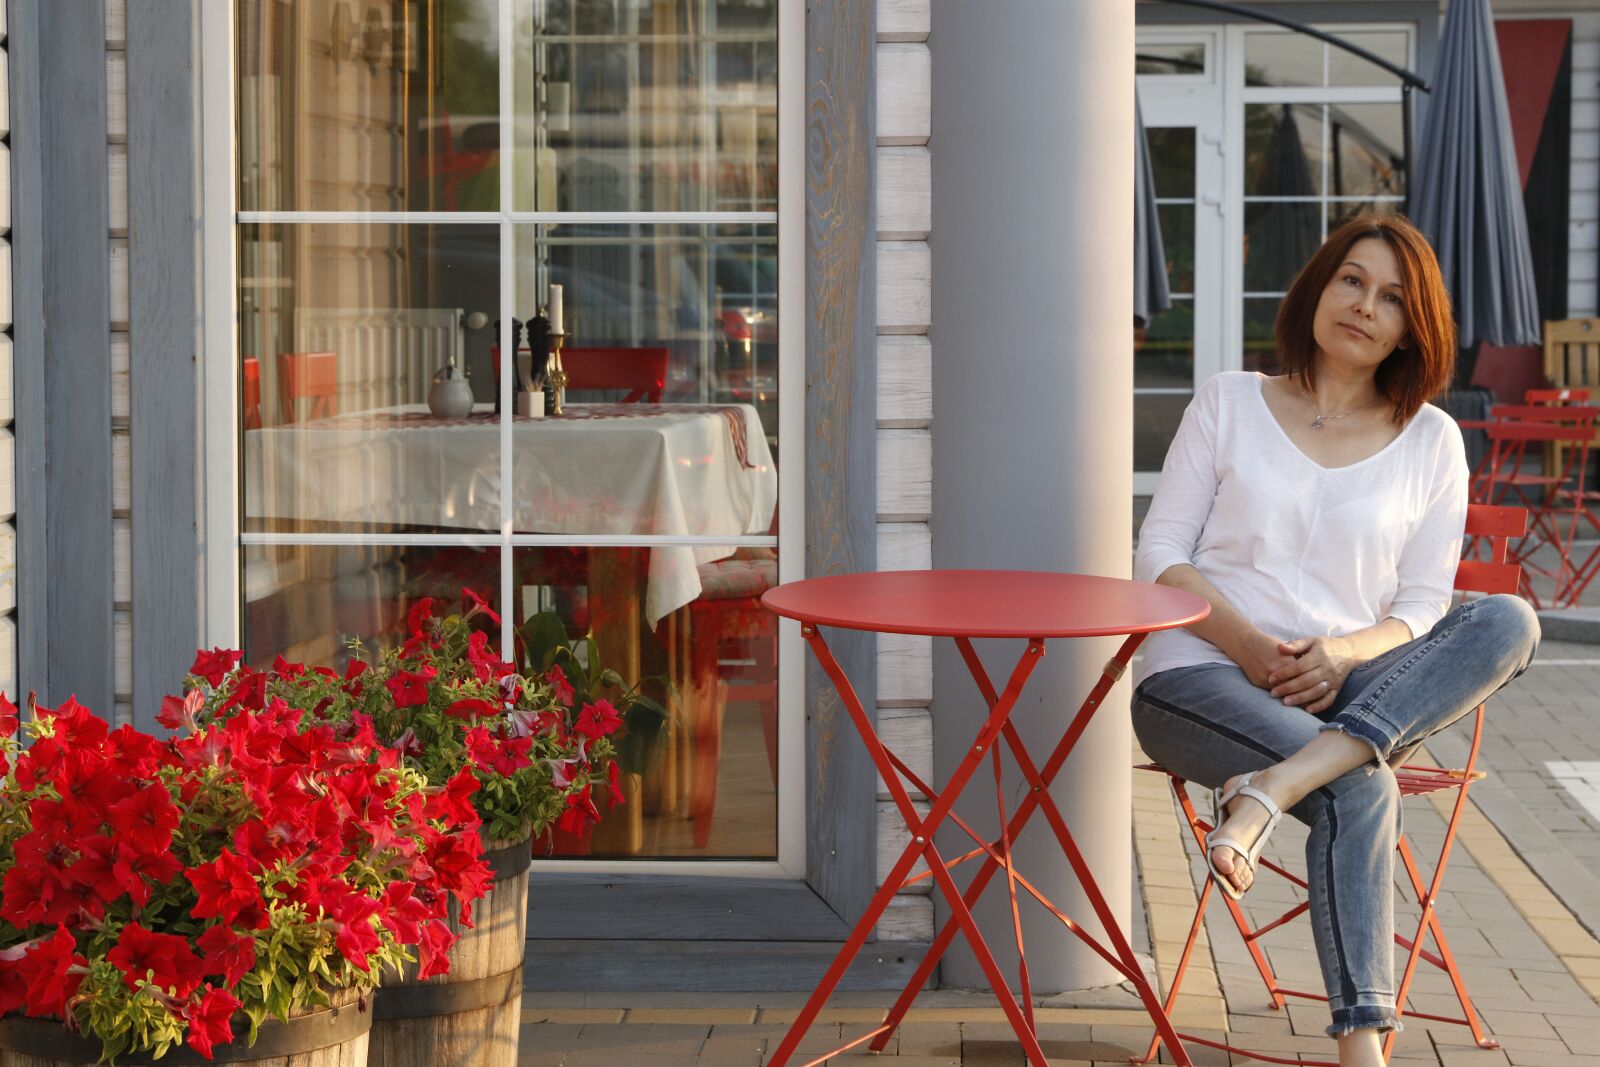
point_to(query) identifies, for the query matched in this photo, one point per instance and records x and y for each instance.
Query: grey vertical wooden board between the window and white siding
(841, 430)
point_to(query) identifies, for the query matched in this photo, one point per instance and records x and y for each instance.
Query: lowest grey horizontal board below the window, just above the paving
(705, 967)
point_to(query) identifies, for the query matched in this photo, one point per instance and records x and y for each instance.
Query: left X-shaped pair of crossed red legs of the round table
(921, 847)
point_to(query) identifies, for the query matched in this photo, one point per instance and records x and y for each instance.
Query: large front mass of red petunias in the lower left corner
(164, 892)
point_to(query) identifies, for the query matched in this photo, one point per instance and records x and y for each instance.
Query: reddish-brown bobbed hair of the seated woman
(1425, 364)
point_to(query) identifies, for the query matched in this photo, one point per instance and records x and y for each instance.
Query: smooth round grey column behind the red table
(1033, 426)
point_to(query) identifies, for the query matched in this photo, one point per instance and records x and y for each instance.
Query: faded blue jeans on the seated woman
(1209, 724)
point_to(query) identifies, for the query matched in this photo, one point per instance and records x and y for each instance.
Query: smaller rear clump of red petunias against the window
(452, 708)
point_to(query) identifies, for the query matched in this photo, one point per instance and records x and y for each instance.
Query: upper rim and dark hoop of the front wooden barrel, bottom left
(50, 1039)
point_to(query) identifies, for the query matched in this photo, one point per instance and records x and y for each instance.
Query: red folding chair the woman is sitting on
(1497, 575)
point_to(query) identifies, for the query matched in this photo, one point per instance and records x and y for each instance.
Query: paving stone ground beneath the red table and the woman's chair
(1521, 909)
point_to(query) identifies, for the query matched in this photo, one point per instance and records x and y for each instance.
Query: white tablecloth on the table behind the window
(660, 474)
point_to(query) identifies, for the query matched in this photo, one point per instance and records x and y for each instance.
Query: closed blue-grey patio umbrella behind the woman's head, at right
(1468, 193)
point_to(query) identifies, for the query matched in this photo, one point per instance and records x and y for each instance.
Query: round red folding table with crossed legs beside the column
(967, 605)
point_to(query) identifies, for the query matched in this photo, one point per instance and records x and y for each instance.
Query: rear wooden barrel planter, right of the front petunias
(471, 1017)
